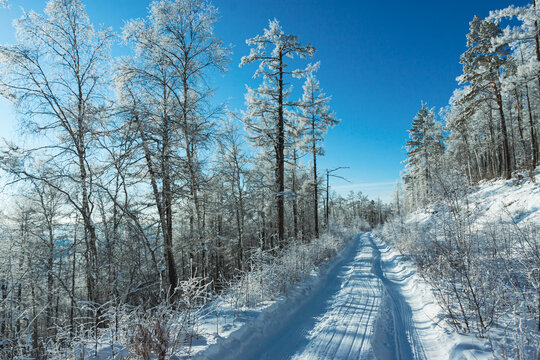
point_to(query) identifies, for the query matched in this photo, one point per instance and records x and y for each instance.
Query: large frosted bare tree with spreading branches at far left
(55, 75)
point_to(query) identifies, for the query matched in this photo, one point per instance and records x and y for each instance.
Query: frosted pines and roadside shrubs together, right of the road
(485, 277)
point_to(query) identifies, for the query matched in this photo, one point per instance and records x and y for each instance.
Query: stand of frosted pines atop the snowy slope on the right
(490, 128)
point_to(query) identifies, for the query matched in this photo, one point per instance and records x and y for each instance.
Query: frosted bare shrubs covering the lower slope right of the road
(486, 279)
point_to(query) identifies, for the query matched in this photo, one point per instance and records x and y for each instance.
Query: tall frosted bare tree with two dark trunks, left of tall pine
(164, 85)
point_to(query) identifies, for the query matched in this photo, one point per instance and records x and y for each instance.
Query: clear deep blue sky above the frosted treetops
(379, 60)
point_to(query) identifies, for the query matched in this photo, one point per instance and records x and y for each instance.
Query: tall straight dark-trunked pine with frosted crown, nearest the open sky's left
(266, 113)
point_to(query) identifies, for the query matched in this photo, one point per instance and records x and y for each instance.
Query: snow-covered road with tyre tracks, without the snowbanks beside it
(360, 312)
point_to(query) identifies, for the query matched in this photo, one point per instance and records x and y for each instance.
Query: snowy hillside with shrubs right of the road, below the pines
(478, 249)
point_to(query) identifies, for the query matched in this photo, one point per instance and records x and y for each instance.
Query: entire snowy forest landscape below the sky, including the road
(141, 218)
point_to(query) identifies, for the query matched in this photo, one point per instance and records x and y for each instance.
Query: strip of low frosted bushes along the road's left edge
(173, 327)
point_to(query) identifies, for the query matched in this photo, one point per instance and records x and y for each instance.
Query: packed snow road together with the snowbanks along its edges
(369, 303)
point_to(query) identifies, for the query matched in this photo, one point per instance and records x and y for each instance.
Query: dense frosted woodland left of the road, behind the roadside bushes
(132, 189)
